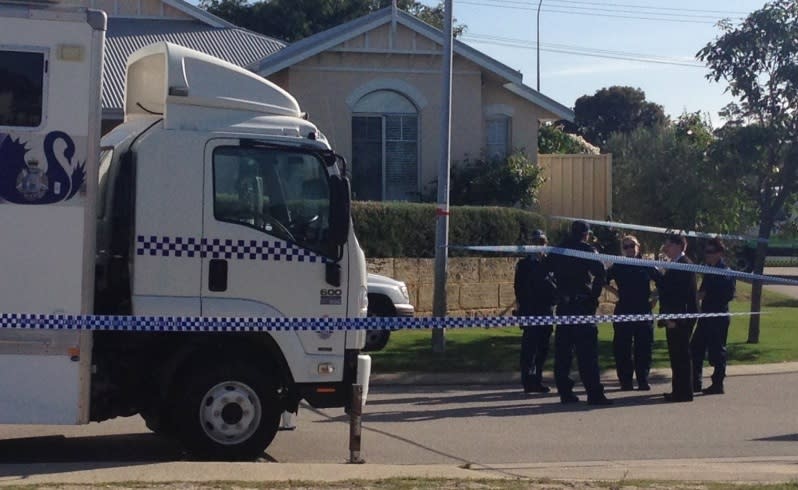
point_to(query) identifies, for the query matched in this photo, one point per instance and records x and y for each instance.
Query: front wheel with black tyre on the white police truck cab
(228, 412)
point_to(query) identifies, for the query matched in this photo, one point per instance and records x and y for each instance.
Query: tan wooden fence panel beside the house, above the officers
(576, 185)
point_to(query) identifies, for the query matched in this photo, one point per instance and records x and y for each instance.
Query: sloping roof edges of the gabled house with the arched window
(313, 45)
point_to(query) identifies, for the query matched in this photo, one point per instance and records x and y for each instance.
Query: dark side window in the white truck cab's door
(282, 192)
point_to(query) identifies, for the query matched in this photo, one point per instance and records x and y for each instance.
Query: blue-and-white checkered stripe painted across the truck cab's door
(220, 248)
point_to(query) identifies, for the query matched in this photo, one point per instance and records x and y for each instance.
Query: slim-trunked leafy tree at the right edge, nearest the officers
(759, 60)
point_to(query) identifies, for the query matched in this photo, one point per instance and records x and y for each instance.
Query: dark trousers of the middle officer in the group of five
(632, 344)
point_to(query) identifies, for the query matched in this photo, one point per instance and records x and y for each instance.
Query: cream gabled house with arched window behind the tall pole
(373, 85)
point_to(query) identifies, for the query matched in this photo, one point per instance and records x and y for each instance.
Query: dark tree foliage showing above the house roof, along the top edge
(292, 20)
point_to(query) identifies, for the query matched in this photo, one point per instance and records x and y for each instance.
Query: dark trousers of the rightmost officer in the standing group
(709, 341)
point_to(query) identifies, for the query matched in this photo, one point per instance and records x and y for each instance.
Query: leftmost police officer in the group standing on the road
(534, 295)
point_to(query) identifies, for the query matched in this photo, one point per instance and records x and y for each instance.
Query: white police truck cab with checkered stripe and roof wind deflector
(217, 198)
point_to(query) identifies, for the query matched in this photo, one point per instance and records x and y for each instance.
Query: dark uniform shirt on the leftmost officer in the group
(534, 287)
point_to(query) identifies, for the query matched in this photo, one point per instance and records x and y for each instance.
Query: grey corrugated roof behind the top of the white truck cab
(125, 35)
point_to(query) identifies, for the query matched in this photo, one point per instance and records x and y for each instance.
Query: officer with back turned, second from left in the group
(579, 284)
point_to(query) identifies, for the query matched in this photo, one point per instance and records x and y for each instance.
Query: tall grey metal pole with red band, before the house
(439, 306)
